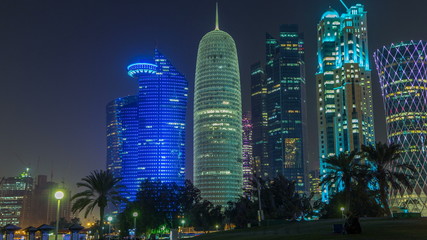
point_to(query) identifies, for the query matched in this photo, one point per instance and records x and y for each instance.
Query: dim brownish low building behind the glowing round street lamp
(43, 204)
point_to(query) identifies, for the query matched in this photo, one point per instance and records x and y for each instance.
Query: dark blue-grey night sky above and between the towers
(61, 62)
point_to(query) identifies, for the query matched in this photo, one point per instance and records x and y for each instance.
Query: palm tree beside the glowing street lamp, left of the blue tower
(101, 188)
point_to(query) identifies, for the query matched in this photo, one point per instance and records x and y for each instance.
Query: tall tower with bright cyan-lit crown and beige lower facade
(343, 81)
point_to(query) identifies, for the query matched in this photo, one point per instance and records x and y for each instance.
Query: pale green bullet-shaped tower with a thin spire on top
(218, 119)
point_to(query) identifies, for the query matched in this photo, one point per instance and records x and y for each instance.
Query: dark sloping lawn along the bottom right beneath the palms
(372, 229)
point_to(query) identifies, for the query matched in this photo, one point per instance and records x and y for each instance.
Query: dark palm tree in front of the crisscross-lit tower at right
(387, 169)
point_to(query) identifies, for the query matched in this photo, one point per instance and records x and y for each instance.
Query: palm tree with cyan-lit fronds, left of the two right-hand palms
(341, 172)
